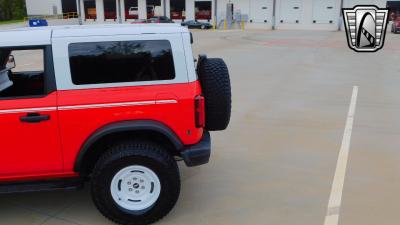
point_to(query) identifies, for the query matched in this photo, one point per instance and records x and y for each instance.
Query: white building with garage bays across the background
(283, 14)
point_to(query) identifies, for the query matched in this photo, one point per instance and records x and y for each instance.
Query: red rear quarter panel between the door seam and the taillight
(76, 125)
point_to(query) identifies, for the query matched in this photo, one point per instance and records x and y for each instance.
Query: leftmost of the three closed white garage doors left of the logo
(260, 11)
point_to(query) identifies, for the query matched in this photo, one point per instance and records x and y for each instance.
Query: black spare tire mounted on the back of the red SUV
(216, 85)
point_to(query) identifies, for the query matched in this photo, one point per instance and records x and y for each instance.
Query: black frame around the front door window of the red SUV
(49, 72)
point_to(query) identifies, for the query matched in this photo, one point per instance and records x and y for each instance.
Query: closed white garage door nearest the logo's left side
(324, 11)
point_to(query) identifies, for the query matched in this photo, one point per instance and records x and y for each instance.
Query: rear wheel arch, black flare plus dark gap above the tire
(98, 142)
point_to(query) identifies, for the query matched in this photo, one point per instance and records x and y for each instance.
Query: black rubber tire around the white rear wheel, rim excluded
(140, 153)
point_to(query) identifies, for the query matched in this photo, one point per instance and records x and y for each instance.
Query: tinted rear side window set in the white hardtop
(121, 61)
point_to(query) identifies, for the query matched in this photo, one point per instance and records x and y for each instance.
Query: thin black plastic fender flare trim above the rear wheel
(136, 125)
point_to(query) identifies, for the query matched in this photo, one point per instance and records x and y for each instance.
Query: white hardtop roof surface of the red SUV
(42, 35)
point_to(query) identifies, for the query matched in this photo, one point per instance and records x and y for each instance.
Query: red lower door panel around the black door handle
(29, 149)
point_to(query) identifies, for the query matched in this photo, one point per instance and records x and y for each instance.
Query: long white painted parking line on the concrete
(335, 199)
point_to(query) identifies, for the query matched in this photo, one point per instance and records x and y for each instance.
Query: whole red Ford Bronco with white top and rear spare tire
(115, 105)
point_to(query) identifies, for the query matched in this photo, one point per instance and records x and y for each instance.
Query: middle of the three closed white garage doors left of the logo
(291, 11)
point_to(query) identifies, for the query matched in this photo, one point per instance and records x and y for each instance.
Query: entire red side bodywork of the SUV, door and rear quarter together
(49, 149)
